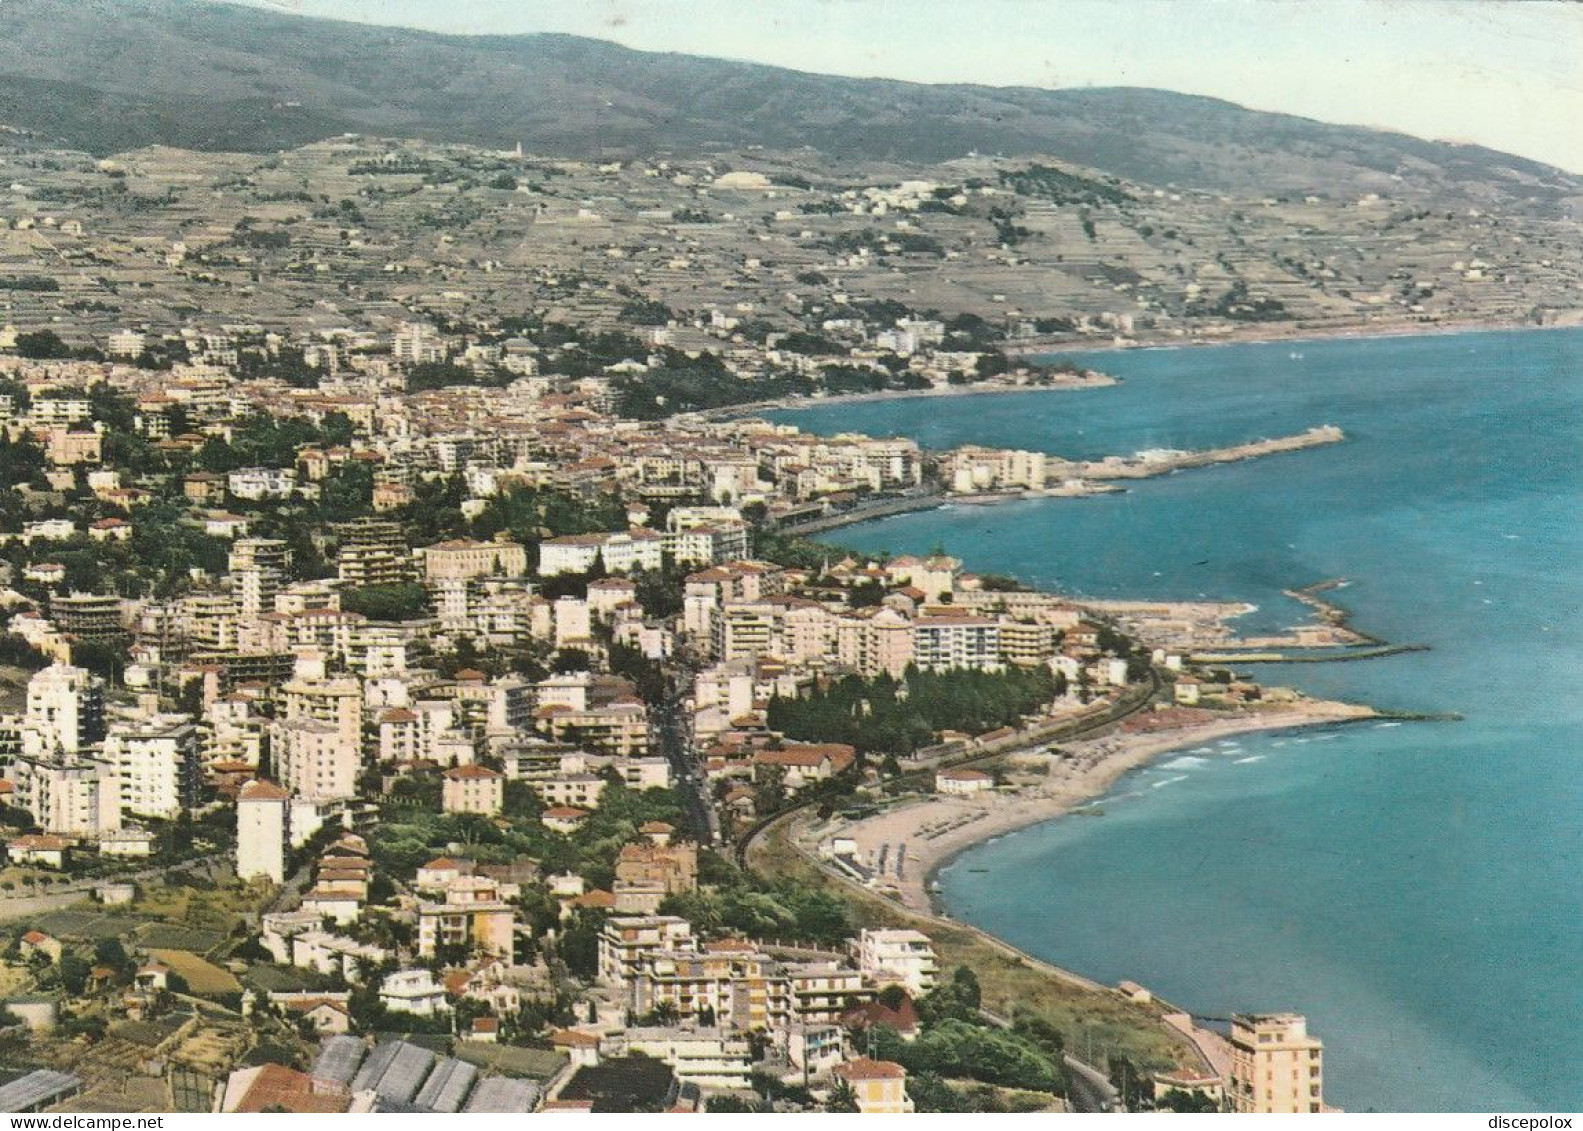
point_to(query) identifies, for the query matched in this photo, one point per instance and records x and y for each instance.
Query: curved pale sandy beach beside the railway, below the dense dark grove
(938, 829)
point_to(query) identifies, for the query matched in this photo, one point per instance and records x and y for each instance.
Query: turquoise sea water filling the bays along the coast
(1416, 889)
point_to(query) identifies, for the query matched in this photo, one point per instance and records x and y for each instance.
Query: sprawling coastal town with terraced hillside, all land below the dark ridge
(422, 691)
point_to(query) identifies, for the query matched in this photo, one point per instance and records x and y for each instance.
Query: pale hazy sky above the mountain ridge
(1503, 74)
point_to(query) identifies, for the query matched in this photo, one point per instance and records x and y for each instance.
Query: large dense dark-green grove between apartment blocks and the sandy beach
(898, 717)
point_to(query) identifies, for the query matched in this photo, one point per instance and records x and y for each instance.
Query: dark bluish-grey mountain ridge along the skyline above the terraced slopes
(115, 75)
